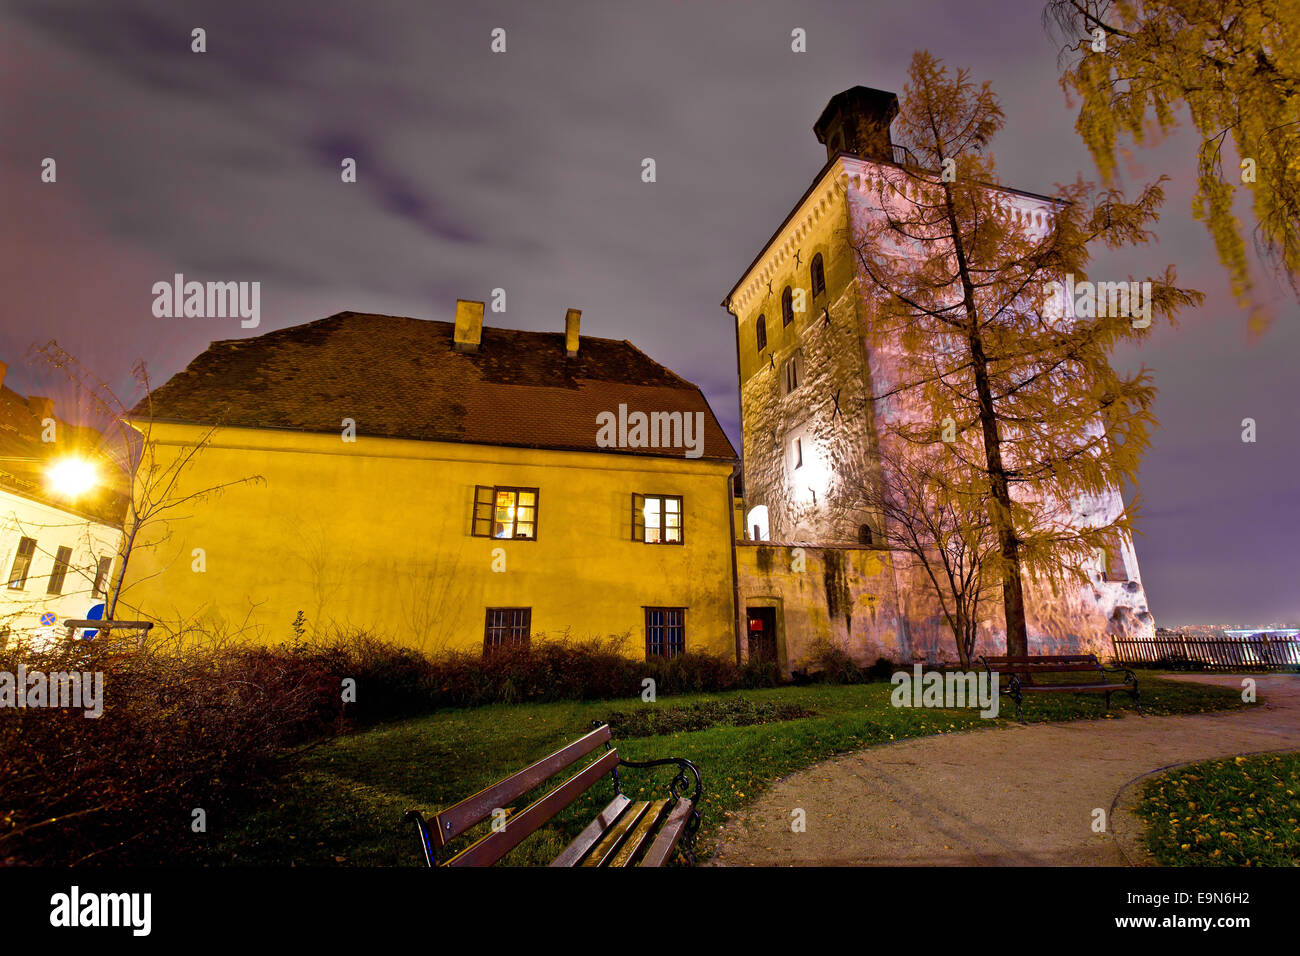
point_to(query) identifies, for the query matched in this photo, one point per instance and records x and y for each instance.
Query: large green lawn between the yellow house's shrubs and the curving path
(344, 804)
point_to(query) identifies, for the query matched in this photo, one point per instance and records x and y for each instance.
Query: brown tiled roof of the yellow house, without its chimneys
(400, 378)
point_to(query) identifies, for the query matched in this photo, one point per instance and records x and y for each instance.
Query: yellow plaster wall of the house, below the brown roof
(376, 535)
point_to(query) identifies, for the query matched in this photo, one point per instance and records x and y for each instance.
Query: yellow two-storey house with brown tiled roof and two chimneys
(441, 486)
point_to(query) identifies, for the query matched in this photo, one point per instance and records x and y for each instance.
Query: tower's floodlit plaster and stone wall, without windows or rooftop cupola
(833, 413)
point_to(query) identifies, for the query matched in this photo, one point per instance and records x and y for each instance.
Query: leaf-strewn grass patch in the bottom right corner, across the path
(1233, 812)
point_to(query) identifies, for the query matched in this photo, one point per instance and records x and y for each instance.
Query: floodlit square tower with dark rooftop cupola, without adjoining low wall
(808, 375)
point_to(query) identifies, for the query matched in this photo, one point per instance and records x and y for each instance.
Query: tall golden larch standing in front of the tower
(978, 349)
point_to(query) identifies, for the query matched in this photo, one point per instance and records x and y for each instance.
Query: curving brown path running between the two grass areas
(1007, 797)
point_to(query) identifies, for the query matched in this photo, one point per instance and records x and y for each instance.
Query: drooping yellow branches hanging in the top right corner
(1236, 67)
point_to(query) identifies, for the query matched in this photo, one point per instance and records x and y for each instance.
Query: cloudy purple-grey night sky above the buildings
(523, 171)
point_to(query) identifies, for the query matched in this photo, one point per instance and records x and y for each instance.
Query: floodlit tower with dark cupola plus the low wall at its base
(809, 369)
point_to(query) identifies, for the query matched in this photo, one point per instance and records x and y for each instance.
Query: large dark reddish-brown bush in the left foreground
(179, 733)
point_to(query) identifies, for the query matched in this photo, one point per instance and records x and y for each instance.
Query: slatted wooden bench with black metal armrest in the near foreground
(626, 833)
